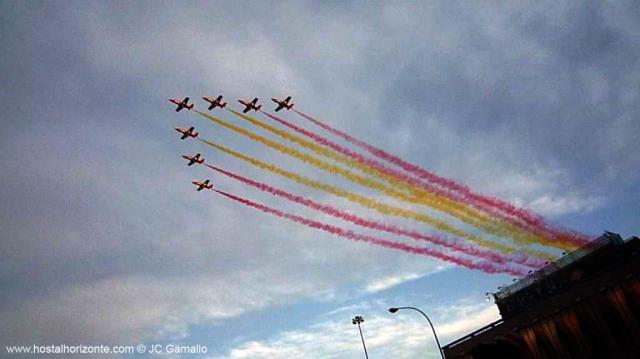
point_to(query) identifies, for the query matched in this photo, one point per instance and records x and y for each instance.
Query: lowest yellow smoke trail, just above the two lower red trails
(375, 205)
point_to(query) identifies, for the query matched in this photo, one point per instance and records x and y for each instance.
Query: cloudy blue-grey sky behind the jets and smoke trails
(105, 241)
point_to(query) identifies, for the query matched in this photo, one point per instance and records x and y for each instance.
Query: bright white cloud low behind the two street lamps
(403, 335)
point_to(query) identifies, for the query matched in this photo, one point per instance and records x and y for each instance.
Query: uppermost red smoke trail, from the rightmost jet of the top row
(462, 193)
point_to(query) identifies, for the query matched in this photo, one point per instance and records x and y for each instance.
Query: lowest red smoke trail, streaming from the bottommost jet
(348, 234)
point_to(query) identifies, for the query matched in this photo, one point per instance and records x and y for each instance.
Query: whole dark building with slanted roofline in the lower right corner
(584, 305)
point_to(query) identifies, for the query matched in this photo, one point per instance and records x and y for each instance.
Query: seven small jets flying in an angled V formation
(213, 103)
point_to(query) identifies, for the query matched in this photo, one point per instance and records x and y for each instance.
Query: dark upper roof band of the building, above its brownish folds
(591, 270)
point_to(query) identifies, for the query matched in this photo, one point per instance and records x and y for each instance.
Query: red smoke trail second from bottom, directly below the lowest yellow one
(454, 244)
